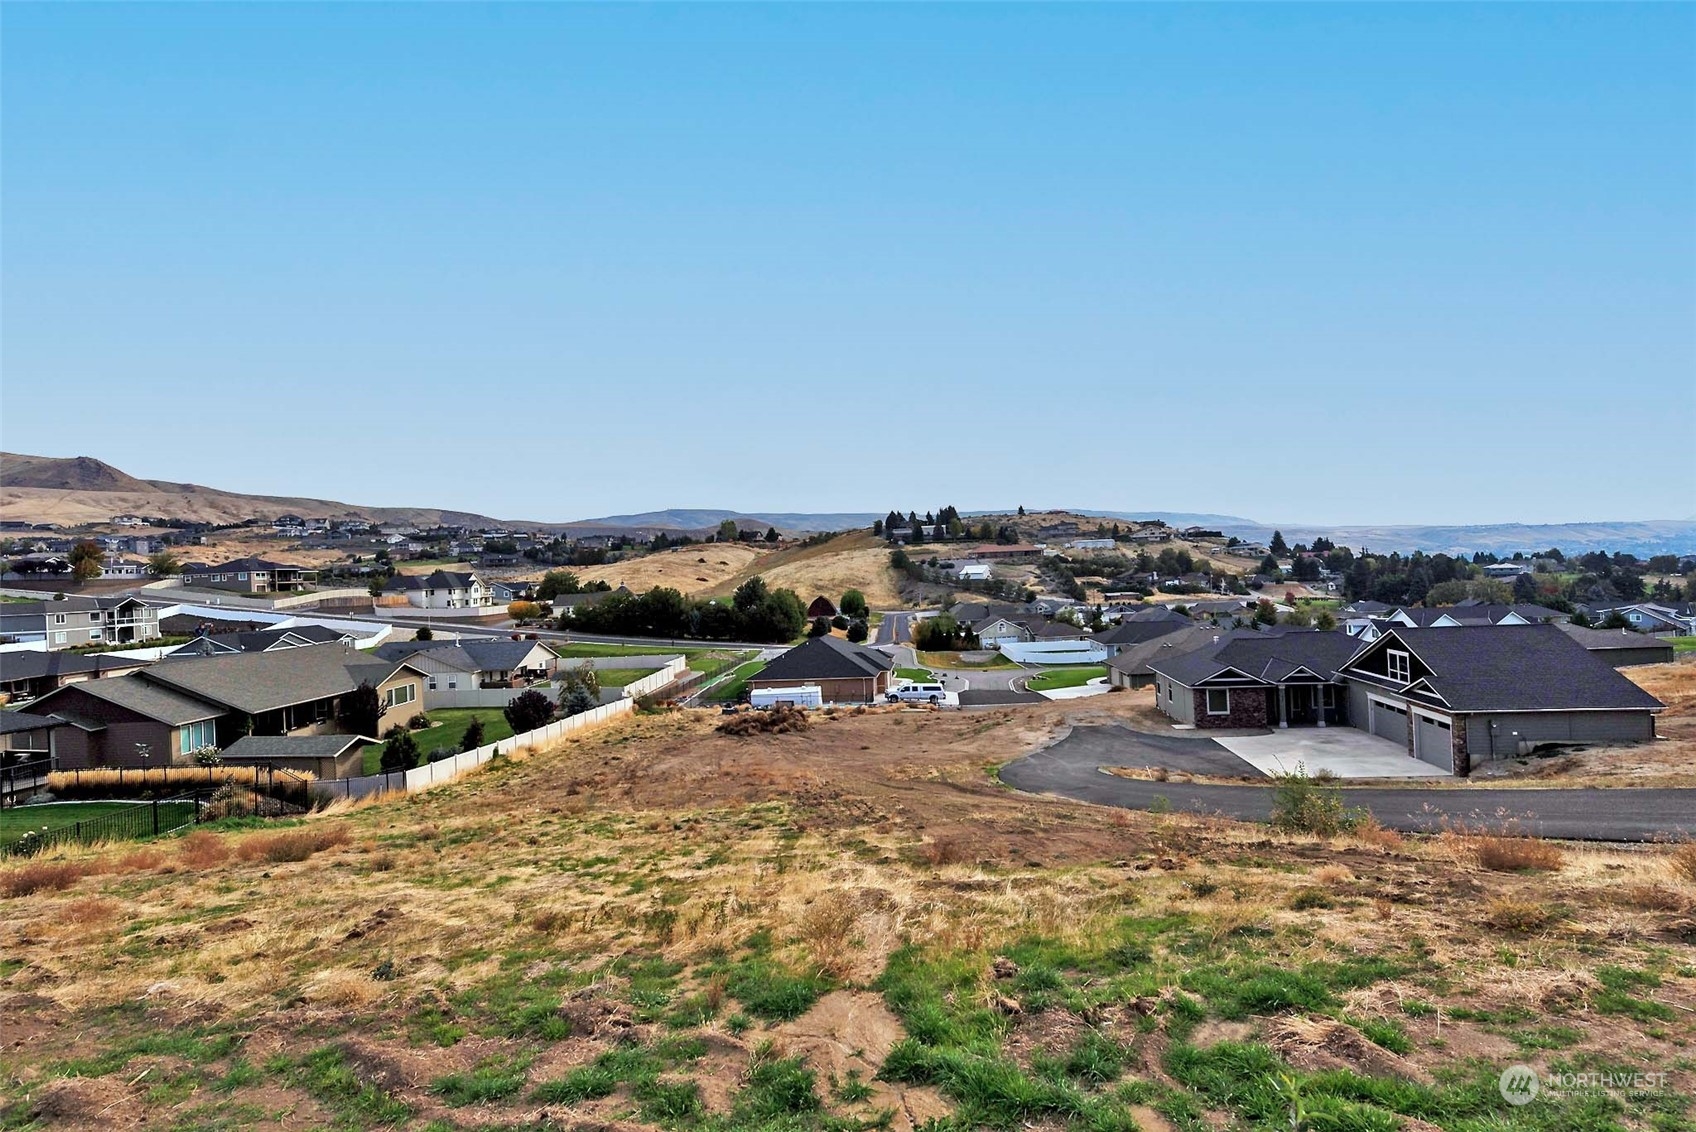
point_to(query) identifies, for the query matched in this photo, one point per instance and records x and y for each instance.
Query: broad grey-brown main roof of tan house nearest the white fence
(264, 681)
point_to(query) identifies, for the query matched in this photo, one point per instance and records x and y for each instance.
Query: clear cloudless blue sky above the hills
(1373, 264)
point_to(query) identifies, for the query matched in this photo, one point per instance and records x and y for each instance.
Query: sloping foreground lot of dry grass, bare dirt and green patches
(845, 927)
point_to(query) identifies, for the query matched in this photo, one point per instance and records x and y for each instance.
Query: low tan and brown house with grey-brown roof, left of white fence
(164, 714)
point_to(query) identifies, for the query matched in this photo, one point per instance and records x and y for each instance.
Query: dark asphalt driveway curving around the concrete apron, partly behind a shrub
(1071, 770)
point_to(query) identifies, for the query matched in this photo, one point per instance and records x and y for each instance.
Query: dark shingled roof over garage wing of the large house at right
(1510, 668)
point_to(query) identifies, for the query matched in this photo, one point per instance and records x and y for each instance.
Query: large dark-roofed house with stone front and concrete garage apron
(1451, 697)
